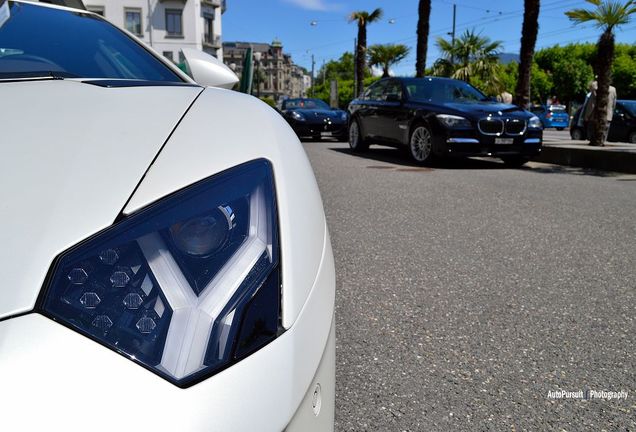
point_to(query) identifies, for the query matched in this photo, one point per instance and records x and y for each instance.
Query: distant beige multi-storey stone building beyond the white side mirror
(275, 74)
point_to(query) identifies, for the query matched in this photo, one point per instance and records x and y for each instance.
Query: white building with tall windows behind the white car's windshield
(168, 25)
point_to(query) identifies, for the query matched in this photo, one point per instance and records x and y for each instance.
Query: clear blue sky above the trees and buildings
(290, 22)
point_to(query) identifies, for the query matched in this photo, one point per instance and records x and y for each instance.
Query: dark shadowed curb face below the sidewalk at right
(605, 159)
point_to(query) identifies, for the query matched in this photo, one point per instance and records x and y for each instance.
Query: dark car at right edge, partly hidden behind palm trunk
(622, 127)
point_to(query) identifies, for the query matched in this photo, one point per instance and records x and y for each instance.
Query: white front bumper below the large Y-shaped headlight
(52, 378)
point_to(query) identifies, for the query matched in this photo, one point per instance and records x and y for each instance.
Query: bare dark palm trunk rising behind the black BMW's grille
(529, 32)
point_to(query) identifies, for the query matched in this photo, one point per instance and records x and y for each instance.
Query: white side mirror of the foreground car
(207, 70)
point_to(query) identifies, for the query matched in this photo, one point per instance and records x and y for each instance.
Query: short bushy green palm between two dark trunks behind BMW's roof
(471, 55)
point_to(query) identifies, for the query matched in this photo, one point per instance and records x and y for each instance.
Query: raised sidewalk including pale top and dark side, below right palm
(617, 157)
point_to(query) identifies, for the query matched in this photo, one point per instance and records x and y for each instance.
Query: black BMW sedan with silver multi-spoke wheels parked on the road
(442, 117)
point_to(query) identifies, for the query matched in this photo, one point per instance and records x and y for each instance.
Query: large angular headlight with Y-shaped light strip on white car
(186, 286)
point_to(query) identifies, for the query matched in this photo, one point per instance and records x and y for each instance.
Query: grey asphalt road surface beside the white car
(467, 291)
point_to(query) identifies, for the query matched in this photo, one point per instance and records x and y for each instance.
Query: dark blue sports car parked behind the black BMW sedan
(314, 118)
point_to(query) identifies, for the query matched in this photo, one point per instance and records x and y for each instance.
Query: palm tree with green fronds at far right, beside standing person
(606, 15)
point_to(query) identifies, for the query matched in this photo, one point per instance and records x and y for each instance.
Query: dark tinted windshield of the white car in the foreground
(49, 42)
